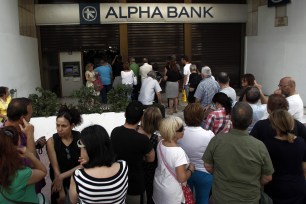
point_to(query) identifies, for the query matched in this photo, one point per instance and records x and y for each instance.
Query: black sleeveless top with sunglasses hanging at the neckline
(67, 156)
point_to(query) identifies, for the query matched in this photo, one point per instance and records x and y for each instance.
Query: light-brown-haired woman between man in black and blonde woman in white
(149, 125)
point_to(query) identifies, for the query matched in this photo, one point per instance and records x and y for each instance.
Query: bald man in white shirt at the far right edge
(286, 87)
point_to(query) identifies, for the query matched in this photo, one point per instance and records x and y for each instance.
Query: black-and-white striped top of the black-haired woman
(102, 190)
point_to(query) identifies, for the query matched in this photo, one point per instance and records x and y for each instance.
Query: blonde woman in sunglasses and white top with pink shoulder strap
(174, 168)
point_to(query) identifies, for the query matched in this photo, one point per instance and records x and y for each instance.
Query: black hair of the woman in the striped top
(98, 146)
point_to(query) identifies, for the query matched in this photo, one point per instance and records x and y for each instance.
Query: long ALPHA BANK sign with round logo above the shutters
(116, 13)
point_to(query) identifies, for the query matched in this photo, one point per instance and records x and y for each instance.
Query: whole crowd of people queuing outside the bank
(225, 149)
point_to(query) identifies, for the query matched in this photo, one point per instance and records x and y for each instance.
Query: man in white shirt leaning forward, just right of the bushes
(149, 88)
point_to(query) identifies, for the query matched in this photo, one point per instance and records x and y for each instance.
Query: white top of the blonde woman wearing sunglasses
(166, 189)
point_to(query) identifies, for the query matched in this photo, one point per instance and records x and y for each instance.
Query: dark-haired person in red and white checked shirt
(219, 120)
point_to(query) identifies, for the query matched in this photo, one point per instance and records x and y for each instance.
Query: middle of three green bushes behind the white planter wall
(87, 101)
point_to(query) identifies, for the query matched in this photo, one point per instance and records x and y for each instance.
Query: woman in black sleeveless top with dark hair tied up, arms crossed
(63, 153)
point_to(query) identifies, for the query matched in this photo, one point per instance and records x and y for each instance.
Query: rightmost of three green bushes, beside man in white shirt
(119, 98)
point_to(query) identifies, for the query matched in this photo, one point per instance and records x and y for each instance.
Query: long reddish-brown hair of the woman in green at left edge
(10, 161)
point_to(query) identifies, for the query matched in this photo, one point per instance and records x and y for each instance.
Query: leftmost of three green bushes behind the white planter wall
(45, 103)
